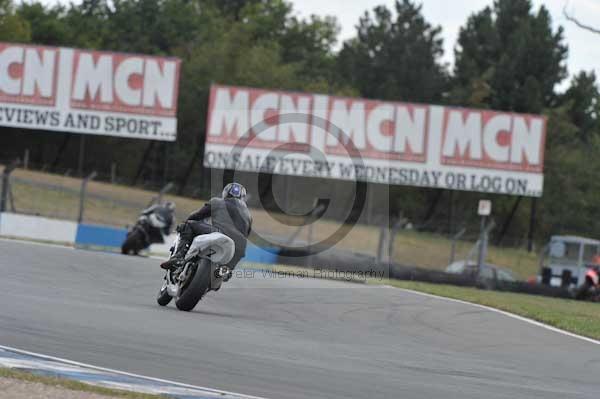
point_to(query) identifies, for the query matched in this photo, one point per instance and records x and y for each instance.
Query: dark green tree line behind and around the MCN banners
(508, 57)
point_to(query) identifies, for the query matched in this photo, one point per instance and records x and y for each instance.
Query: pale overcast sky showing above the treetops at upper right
(584, 47)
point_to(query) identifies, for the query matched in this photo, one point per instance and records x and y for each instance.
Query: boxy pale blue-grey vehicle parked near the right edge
(564, 262)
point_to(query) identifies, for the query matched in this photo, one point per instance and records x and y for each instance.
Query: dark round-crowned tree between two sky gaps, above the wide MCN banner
(395, 56)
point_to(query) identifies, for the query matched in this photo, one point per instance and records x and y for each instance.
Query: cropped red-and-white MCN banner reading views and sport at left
(88, 92)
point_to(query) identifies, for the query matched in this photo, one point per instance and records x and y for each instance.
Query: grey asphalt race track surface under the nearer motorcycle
(281, 338)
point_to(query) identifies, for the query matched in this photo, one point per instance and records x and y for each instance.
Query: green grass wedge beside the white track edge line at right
(581, 318)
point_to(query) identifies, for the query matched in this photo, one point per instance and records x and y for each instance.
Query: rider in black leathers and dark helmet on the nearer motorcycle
(228, 215)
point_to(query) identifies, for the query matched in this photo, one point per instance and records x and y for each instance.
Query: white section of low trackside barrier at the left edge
(37, 228)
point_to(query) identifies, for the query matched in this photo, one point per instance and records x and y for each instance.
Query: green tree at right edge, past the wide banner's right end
(573, 142)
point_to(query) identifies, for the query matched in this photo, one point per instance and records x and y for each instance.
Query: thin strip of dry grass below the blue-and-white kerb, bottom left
(73, 385)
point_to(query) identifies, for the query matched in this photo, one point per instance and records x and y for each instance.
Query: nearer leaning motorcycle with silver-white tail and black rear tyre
(204, 269)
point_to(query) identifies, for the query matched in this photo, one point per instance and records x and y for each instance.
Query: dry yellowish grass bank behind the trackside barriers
(61, 196)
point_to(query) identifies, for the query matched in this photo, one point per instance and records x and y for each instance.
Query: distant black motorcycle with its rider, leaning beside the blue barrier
(152, 226)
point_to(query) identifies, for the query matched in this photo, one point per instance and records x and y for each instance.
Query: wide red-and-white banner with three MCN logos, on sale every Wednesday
(382, 142)
